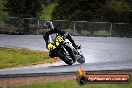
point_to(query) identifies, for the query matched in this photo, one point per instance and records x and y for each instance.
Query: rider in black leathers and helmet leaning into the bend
(49, 29)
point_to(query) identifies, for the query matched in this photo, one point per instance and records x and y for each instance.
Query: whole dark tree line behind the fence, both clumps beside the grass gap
(89, 10)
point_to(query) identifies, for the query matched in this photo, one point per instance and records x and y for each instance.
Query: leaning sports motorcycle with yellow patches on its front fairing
(64, 49)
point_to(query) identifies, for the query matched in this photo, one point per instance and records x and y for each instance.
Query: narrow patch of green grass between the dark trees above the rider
(47, 12)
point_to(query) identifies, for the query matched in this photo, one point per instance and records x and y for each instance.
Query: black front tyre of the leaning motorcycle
(66, 54)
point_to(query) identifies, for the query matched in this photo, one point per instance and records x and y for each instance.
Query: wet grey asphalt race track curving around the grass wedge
(101, 53)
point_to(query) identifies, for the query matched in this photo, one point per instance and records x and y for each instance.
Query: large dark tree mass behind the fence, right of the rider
(94, 10)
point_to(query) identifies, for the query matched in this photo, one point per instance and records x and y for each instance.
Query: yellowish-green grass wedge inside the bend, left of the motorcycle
(11, 57)
